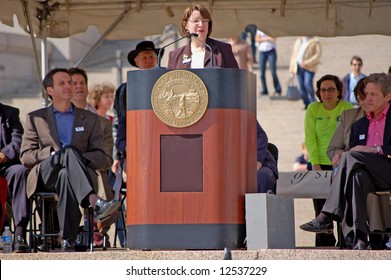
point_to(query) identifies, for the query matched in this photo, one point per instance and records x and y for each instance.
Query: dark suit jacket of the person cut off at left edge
(11, 131)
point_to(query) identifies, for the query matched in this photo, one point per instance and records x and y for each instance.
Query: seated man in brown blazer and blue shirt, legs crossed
(59, 145)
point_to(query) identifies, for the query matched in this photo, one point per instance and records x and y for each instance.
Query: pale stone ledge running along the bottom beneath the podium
(267, 254)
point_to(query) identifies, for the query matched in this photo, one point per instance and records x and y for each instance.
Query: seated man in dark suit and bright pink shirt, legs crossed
(364, 168)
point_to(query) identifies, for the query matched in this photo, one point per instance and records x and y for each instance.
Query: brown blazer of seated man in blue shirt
(41, 138)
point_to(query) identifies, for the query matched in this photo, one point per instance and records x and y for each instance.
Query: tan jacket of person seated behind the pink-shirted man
(340, 141)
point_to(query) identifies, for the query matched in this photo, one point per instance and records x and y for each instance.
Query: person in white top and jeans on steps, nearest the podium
(268, 53)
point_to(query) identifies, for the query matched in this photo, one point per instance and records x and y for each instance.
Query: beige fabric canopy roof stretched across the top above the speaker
(121, 19)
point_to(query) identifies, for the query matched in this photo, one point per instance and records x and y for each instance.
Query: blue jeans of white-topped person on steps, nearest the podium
(270, 56)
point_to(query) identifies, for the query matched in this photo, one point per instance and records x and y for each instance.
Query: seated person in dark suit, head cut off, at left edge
(11, 131)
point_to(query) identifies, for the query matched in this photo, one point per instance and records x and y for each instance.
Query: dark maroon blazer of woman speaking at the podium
(222, 53)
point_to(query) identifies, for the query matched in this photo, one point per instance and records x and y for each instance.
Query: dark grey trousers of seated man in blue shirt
(66, 174)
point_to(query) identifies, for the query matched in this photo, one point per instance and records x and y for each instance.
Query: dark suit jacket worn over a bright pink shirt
(359, 134)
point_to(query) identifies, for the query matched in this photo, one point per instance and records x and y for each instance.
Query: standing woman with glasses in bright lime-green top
(320, 122)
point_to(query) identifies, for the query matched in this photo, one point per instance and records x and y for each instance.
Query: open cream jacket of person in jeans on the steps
(311, 58)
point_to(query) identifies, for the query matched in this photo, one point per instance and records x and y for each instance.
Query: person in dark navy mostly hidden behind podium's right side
(267, 171)
